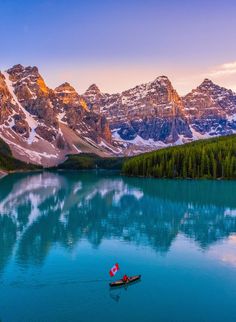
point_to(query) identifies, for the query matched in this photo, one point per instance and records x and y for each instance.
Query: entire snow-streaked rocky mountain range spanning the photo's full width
(43, 125)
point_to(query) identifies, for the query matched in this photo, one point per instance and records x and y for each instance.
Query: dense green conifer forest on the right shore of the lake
(213, 158)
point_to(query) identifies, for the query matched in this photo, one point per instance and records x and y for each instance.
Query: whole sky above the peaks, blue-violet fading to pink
(118, 44)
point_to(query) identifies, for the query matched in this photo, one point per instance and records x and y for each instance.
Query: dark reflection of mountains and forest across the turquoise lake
(39, 210)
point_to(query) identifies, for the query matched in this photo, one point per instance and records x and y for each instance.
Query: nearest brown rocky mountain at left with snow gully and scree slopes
(31, 115)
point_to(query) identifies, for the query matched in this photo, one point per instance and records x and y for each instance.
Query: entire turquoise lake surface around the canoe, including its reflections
(61, 232)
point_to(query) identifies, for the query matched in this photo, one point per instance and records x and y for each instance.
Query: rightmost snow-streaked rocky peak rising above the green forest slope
(211, 110)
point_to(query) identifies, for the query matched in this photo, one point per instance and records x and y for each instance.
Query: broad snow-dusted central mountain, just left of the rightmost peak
(152, 111)
